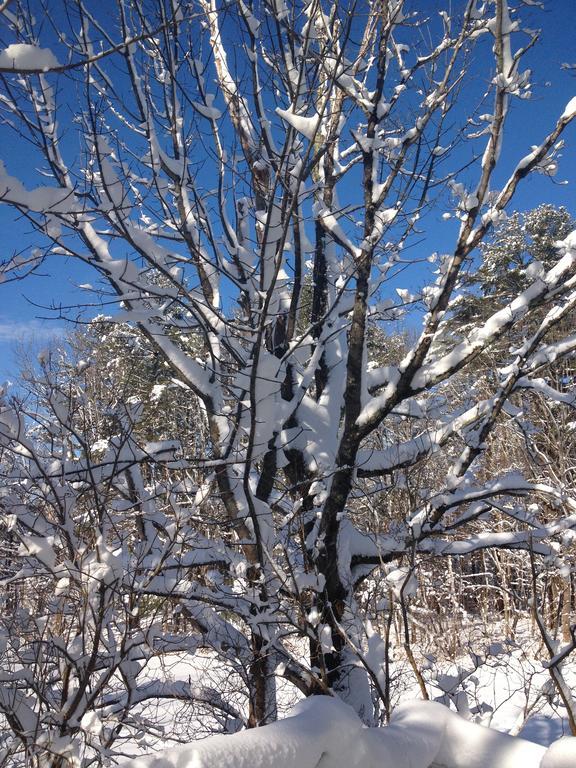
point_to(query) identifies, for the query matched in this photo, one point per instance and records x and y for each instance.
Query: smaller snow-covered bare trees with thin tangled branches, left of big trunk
(89, 528)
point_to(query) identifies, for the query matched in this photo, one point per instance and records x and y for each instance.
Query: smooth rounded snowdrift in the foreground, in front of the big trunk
(322, 732)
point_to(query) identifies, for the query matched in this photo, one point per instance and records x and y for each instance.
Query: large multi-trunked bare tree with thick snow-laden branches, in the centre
(221, 164)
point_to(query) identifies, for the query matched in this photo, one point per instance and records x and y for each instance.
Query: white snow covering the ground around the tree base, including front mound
(509, 714)
